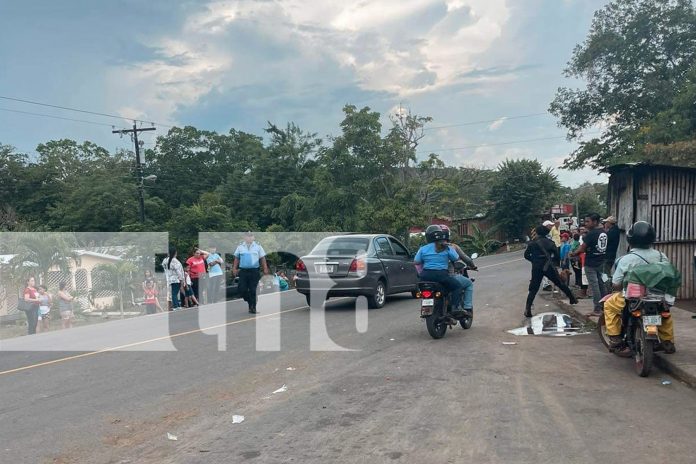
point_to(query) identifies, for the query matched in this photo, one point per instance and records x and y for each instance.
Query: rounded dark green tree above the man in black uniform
(521, 190)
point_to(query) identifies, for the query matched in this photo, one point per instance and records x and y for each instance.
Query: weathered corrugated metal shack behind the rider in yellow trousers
(665, 196)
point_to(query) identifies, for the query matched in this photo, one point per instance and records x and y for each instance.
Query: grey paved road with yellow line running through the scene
(397, 396)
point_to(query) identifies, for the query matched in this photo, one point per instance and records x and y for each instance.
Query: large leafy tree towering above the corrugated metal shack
(636, 60)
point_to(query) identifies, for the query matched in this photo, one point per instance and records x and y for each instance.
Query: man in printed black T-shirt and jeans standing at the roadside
(595, 248)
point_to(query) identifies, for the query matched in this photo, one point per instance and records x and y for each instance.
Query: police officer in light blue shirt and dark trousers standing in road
(248, 257)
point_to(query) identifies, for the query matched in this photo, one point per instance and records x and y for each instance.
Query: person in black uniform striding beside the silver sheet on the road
(542, 253)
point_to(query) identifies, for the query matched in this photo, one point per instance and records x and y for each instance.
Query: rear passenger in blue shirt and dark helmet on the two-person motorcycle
(435, 258)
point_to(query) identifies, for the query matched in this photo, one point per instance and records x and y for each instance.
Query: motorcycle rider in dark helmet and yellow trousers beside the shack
(640, 237)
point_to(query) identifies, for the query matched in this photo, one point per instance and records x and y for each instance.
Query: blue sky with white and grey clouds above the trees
(236, 63)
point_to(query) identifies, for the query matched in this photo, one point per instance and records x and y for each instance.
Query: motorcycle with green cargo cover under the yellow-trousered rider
(642, 315)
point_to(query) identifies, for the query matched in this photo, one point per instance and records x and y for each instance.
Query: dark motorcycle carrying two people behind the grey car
(436, 307)
